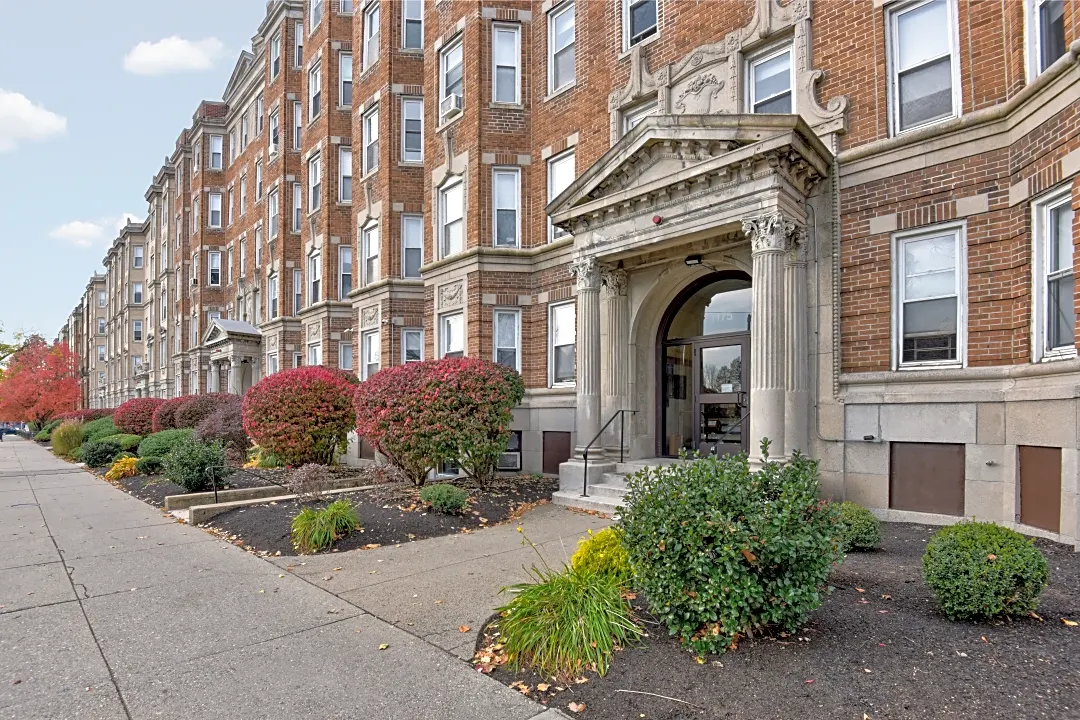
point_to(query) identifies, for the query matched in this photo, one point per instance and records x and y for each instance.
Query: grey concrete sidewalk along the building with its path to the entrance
(109, 609)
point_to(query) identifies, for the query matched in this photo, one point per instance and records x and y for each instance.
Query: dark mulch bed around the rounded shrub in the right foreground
(861, 656)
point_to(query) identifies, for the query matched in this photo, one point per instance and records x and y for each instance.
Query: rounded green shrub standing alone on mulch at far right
(981, 570)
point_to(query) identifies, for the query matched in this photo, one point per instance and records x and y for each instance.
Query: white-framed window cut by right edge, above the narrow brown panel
(1055, 318)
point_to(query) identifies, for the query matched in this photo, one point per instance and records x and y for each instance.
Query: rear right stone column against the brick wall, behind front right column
(798, 360)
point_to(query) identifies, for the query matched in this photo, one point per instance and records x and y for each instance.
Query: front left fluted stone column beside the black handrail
(588, 372)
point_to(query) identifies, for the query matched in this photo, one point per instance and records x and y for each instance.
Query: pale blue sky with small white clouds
(92, 99)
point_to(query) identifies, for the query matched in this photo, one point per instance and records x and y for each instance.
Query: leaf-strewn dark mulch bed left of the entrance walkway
(389, 515)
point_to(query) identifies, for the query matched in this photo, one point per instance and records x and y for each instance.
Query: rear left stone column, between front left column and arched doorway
(617, 365)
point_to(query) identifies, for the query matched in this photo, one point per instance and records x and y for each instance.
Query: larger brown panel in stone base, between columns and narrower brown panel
(927, 478)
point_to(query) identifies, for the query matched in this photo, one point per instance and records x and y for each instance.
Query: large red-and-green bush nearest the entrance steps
(423, 414)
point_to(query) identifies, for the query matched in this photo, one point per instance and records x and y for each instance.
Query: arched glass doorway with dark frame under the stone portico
(705, 368)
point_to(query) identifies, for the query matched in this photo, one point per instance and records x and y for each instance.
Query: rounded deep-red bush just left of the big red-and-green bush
(302, 416)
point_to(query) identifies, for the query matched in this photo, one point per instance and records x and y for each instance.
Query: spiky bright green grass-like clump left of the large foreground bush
(566, 622)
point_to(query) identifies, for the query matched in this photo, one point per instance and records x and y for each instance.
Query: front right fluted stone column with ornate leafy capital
(768, 235)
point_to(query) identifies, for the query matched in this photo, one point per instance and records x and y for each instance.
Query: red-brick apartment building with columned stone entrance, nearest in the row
(844, 226)
